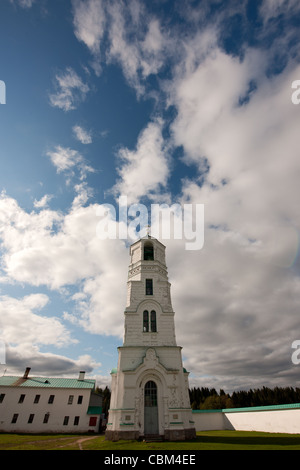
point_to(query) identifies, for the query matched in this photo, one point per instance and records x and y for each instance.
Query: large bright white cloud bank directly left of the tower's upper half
(55, 250)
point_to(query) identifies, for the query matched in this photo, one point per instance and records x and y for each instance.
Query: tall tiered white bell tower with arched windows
(149, 391)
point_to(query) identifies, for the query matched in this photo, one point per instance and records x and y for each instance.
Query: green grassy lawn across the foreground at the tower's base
(209, 440)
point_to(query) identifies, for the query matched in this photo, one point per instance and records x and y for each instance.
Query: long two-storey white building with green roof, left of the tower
(46, 405)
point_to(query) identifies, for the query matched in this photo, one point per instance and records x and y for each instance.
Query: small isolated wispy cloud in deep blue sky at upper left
(70, 90)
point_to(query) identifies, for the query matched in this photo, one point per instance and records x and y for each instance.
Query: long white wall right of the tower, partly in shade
(285, 419)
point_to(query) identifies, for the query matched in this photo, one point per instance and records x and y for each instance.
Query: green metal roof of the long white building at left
(47, 382)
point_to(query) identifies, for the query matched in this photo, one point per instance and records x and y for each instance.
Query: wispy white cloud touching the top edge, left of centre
(139, 54)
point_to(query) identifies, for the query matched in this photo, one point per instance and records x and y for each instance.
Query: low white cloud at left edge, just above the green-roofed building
(26, 330)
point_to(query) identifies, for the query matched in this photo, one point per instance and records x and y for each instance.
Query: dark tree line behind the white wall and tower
(209, 399)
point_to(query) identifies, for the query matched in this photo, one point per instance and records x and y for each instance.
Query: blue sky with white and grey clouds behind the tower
(163, 102)
